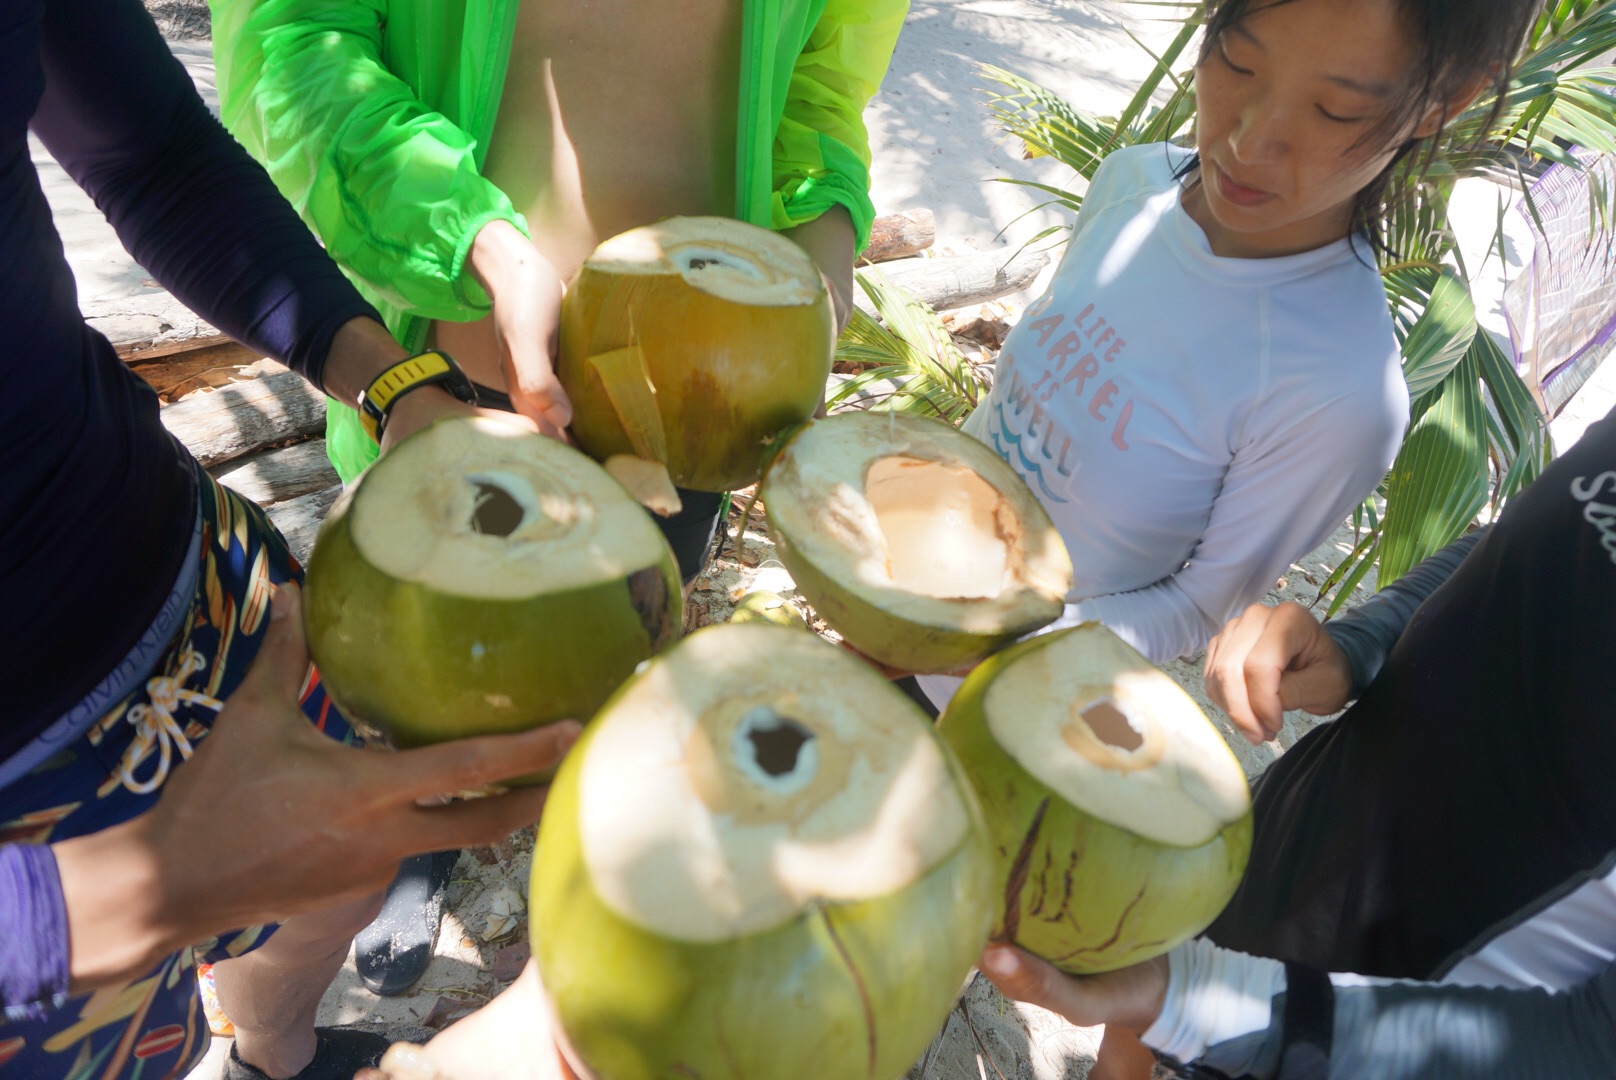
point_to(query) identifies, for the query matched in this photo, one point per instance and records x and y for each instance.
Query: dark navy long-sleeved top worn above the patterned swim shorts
(96, 499)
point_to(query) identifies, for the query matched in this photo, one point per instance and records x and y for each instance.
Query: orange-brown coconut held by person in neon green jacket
(694, 344)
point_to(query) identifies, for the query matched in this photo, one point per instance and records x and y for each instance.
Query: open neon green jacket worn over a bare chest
(374, 117)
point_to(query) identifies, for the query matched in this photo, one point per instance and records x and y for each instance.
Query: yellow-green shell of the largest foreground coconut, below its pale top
(846, 989)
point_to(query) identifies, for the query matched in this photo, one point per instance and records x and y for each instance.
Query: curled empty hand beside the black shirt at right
(1268, 660)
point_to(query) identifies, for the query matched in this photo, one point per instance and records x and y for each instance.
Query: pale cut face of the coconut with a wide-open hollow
(911, 521)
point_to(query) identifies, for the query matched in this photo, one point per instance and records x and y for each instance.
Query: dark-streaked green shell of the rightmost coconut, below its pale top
(1082, 893)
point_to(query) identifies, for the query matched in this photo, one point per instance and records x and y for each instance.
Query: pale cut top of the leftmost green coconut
(481, 508)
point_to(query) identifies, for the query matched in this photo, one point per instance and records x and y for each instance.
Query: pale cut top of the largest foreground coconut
(752, 775)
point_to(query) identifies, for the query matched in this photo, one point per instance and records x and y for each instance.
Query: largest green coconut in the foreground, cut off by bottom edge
(759, 863)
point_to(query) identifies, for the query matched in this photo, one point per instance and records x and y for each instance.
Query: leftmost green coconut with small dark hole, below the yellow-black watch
(484, 580)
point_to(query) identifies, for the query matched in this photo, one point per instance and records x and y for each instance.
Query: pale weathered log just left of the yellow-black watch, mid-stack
(243, 418)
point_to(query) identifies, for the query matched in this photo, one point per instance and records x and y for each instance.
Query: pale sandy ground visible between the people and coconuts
(935, 146)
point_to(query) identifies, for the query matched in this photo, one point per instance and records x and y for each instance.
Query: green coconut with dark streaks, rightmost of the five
(1119, 816)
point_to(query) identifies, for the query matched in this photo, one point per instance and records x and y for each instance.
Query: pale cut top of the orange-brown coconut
(718, 256)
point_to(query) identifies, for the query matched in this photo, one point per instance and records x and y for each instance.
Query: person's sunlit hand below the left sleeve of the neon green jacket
(526, 292)
